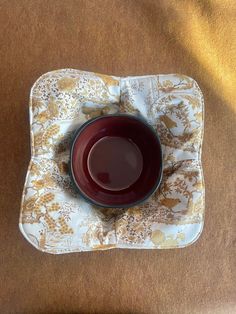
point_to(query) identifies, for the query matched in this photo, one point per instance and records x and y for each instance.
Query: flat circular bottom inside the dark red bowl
(115, 163)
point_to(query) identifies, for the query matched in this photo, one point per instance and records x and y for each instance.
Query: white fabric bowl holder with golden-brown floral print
(55, 219)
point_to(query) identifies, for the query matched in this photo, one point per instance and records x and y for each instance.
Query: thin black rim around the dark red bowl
(71, 172)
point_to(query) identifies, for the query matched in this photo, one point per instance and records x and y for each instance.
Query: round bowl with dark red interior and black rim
(116, 161)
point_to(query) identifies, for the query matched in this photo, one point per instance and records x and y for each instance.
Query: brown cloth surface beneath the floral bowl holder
(196, 38)
